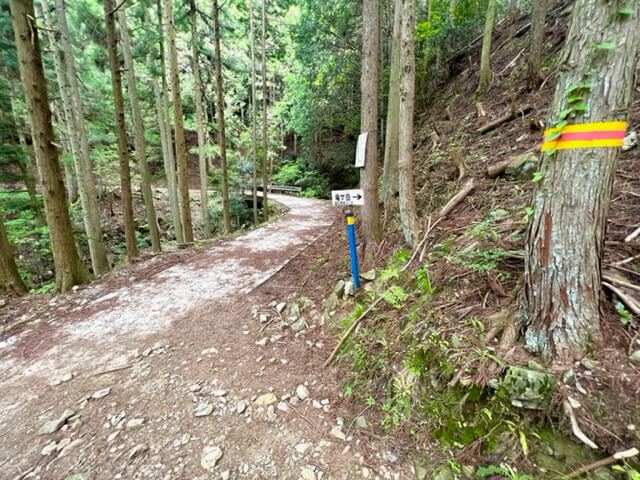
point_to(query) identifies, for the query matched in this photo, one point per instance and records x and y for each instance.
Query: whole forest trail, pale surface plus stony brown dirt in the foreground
(173, 368)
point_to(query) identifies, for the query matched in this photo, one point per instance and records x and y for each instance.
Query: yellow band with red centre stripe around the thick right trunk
(585, 135)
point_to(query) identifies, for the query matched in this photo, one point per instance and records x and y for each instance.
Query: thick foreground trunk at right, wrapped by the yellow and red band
(561, 301)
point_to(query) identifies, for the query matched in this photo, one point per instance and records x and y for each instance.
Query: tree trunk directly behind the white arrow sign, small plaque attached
(369, 123)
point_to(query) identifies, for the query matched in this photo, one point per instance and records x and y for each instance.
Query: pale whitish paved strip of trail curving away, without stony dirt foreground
(104, 319)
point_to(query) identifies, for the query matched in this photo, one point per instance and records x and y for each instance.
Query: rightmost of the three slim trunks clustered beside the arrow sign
(407, 104)
